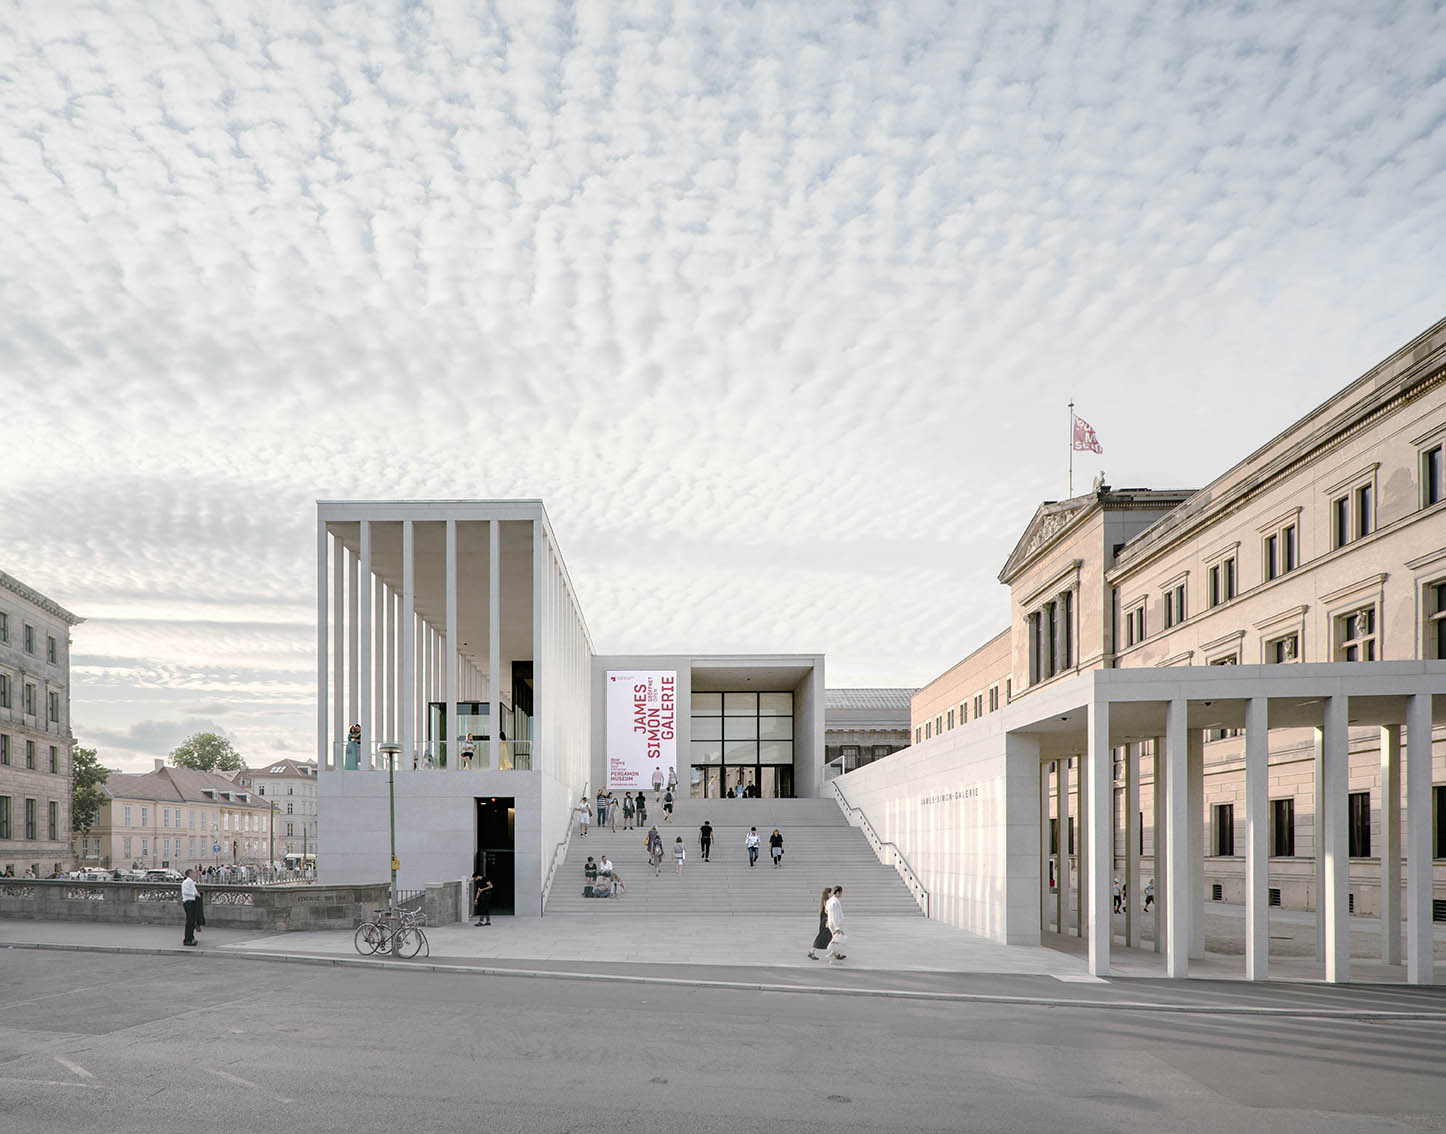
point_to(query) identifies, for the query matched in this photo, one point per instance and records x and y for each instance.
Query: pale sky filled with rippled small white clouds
(777, 306)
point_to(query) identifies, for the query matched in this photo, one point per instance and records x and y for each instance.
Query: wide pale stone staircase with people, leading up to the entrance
(821, 850)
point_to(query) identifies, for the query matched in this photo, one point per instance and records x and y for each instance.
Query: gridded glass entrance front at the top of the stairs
(743, 741)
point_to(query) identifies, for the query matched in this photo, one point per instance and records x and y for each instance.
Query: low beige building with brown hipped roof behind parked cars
(179, 818)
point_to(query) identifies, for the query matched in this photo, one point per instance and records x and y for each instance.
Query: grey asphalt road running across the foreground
(196, 1044)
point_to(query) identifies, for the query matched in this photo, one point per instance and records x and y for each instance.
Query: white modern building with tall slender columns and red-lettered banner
(437, 620)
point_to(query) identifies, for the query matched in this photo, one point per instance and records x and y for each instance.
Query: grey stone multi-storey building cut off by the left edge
(35, 731)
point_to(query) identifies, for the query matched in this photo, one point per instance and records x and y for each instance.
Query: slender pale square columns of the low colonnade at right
(1181, 851)
